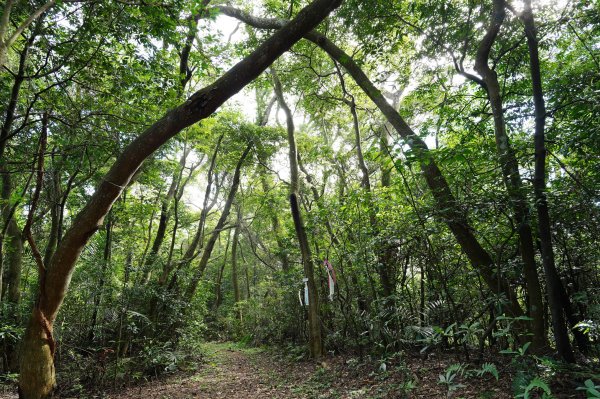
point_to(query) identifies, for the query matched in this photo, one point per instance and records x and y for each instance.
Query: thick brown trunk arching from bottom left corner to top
(37, 376)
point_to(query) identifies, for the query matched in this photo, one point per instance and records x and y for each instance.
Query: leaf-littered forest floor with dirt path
(229, 371)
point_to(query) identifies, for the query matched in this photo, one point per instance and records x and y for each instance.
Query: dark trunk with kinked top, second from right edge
(512, 178)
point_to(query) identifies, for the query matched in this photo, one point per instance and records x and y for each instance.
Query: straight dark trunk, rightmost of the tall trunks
(557, 295)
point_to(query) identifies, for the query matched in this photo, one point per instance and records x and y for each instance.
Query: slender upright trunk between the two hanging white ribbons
(314, 321)
